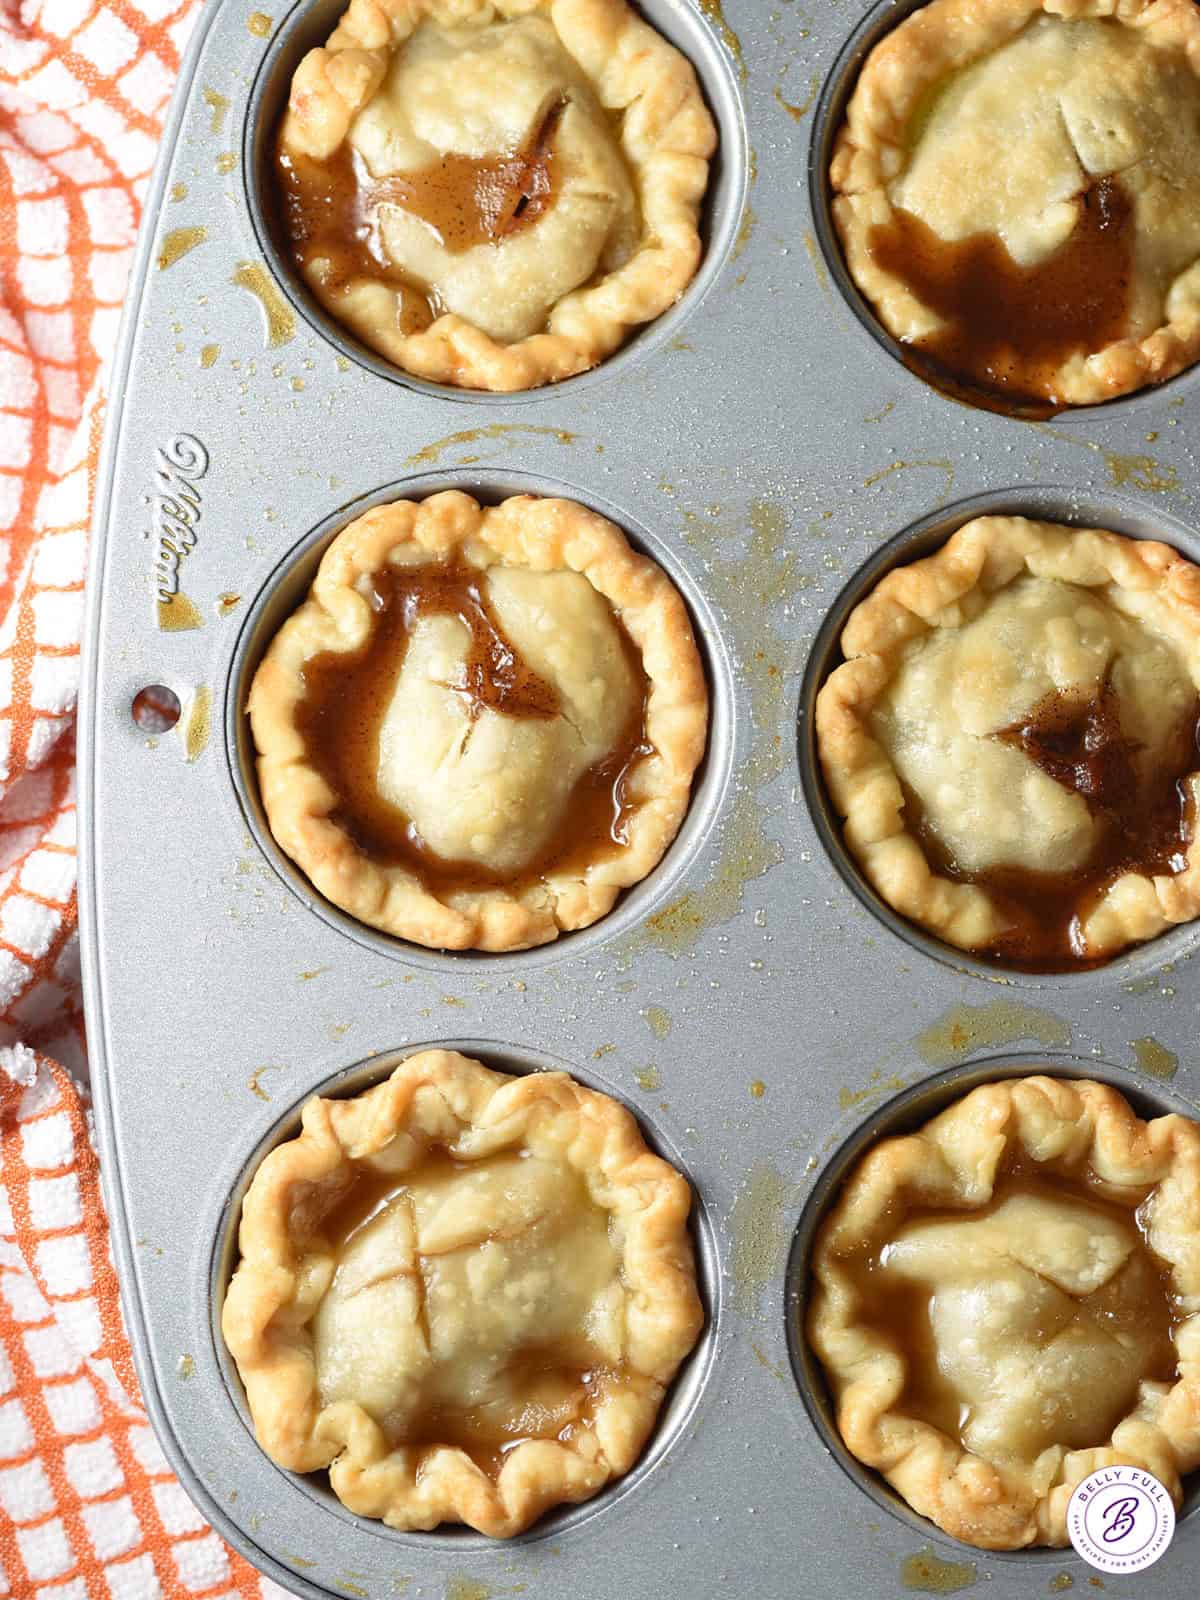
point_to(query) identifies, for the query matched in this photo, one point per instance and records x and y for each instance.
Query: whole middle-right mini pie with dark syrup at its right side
(1012, 742)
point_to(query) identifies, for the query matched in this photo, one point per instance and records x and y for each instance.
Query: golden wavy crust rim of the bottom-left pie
(287, 1266)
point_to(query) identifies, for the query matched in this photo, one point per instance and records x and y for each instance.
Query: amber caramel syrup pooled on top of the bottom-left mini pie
(556, 1396)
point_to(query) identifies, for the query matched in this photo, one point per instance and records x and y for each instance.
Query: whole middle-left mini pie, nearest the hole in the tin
(482, 724)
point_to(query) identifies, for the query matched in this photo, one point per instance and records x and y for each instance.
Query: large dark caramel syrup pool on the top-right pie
(1009, 329)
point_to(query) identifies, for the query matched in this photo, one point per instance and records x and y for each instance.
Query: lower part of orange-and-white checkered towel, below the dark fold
(89, 1505)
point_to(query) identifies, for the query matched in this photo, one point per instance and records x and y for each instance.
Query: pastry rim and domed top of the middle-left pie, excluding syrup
(484, 788)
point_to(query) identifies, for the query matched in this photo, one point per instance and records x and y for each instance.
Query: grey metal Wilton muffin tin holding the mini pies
(751, 1001)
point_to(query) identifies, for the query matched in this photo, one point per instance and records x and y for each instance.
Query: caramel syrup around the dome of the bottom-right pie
(900, 1310)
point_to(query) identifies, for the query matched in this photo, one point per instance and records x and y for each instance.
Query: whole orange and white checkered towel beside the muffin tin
(89, 1508)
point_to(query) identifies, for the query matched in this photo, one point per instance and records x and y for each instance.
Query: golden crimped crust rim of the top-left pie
(666, 138)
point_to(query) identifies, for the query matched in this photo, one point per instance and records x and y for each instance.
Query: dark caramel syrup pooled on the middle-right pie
(1145, 826)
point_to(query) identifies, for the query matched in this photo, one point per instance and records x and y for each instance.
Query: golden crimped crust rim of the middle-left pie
(522, 534)
